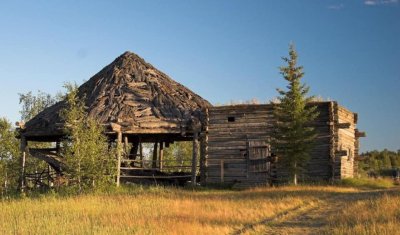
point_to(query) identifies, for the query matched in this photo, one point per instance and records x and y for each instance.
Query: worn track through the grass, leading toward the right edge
(312, 217)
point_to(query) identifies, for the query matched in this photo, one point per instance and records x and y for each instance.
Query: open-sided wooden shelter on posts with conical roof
(137, 104)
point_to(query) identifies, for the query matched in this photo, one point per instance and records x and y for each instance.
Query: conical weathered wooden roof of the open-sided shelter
(129, 94)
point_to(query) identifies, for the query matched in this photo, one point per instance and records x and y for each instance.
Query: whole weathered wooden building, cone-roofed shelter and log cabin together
(139, 104)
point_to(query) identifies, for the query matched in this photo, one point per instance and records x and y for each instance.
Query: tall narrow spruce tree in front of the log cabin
(293, 138)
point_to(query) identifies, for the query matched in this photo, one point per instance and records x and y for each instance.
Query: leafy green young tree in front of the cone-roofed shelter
(91, 164)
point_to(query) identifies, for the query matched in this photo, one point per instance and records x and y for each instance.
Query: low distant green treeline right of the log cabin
(379, 163)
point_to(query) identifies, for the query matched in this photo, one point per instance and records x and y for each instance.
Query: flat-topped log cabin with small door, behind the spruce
(238, 151)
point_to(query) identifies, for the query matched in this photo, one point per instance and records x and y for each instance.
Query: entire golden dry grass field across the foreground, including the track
(157, 210)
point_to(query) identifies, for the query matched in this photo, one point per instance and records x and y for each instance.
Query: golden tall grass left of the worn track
(153, 210)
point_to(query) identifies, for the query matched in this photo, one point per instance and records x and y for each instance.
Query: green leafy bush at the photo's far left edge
(9, 151)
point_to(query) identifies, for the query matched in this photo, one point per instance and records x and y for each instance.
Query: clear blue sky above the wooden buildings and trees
(223, 50)
